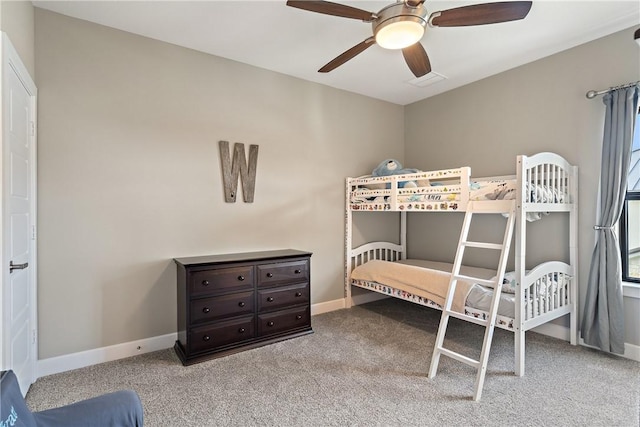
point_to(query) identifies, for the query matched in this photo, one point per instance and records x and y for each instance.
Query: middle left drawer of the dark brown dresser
(212, 308)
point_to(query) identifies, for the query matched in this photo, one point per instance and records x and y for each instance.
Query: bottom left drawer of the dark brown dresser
(221, 334)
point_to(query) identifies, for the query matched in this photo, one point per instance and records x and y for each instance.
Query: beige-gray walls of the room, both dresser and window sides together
(129, 173)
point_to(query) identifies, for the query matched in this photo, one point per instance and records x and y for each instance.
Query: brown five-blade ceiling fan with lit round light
(401, 25)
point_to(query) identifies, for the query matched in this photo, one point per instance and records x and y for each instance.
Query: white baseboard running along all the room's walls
(68, 362)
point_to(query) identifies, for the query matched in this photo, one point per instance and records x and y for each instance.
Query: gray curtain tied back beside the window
(603, 316)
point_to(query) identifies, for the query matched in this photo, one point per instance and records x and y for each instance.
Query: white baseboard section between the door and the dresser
(68, 362)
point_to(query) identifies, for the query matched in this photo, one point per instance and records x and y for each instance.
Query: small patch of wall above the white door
(17, 21)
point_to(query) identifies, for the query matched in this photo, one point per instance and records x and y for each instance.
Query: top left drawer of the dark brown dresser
(221, 279)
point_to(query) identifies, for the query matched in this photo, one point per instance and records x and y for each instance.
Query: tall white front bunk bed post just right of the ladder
(521, 244)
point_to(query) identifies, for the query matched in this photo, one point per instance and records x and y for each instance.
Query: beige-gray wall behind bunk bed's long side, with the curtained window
(538, 107)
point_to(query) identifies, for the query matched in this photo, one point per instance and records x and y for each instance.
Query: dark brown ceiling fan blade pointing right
(481, 14)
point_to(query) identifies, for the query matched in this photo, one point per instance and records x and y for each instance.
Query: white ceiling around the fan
(270, 35)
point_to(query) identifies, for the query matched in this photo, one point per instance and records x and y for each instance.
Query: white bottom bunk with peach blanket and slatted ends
(546, 292)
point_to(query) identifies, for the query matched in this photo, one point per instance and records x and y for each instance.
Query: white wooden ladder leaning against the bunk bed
(489, 322)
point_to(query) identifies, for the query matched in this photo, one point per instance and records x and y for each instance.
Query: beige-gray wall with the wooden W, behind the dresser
(129, 175)
